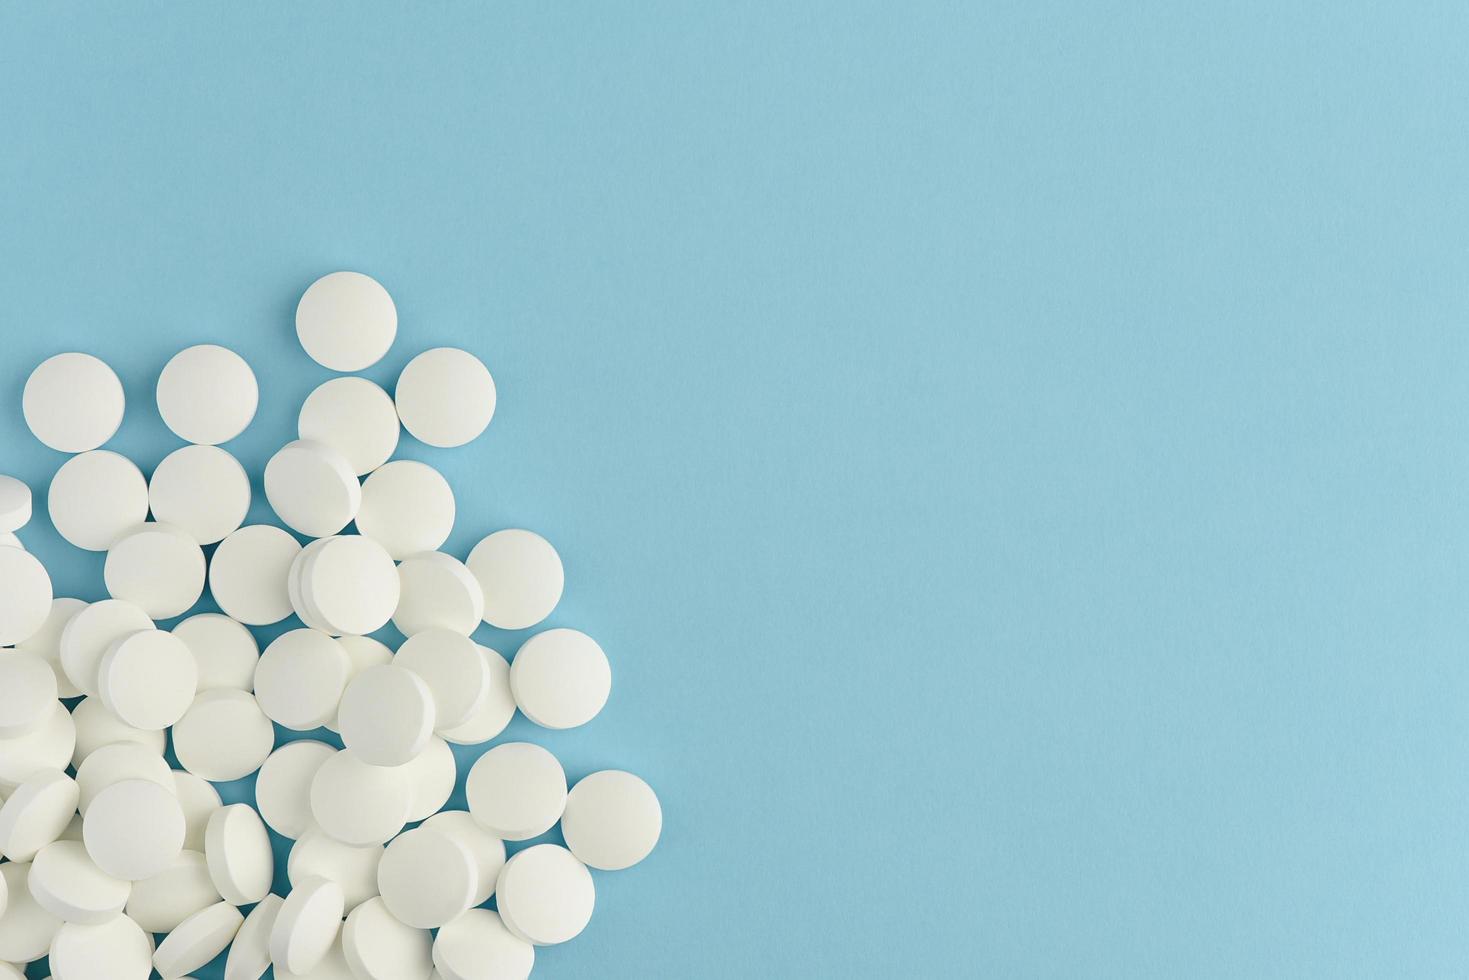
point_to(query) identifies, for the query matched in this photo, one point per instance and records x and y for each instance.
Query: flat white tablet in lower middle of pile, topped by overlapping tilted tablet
(359, 804)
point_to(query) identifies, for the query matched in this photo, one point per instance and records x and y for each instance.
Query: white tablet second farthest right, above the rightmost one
(560, 680)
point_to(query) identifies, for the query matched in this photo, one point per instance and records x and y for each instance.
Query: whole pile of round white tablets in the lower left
(118, 865)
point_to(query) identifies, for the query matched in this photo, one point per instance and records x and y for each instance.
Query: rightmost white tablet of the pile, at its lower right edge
(612, 821)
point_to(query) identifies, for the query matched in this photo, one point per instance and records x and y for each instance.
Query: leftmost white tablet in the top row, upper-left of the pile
(73, 403)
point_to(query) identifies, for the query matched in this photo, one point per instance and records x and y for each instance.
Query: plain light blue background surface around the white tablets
(1013, 453)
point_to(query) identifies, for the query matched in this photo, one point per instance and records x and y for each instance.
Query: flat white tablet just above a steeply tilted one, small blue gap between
(224, 735)
